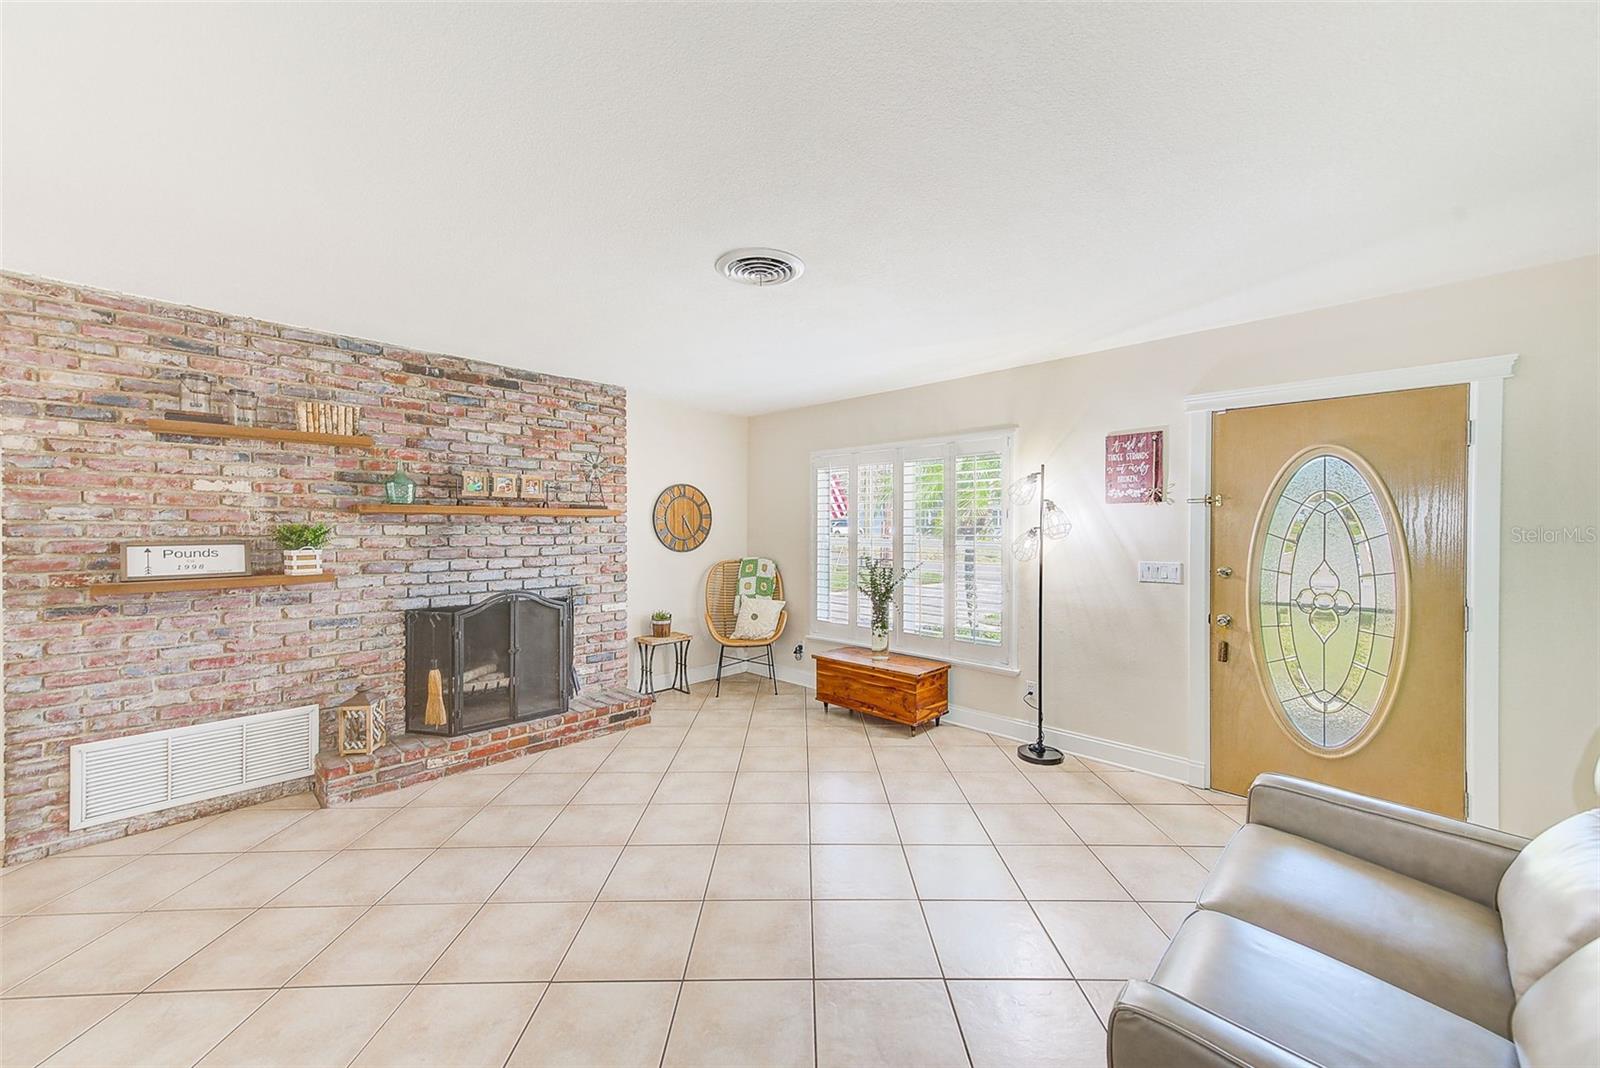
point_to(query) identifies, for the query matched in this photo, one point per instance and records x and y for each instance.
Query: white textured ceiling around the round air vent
(970, 188)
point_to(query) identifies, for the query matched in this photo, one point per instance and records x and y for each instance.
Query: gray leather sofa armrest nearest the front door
(1452, 855)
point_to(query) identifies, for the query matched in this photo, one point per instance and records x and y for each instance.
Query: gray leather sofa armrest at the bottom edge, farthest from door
(1153, 1027)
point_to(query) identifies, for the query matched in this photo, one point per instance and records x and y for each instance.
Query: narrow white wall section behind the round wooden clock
(673, 444)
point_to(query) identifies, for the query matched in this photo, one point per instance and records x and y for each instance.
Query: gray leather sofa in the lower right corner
(1338, 930)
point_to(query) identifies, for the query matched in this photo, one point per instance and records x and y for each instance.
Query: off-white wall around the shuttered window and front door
(1118, 650)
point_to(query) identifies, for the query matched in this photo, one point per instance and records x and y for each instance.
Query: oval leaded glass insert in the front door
(1330, 599)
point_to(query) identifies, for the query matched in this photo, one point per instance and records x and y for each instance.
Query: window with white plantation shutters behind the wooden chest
(935, 508)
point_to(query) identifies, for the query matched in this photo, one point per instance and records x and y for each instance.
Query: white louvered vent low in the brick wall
(159, 770)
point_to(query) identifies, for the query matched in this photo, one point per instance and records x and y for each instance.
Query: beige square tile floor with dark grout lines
(750, 880)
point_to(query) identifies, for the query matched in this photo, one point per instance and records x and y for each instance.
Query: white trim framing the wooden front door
(1486, 380)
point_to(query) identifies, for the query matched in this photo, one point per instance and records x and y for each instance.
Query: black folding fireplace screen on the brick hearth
(500, 661)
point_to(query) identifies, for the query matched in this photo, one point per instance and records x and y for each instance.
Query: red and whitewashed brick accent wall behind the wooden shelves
(84, 369)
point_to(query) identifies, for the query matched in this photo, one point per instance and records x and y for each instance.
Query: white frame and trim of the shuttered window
(967, 655)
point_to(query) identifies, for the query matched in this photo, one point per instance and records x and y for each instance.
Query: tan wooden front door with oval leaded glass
(1338, 596)
